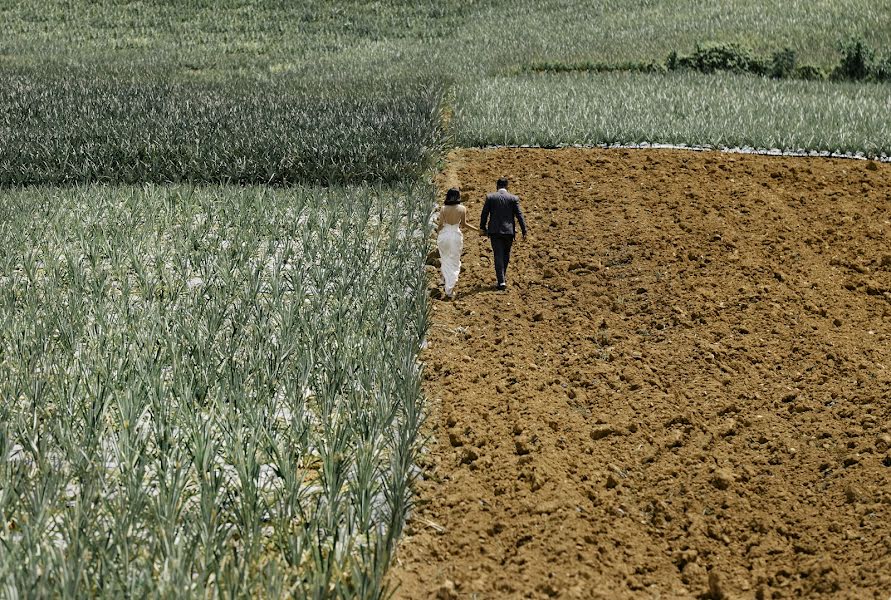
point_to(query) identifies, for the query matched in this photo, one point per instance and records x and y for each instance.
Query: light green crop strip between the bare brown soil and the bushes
(720, 110)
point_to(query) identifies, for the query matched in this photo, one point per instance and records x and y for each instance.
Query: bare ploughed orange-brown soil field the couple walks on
(685, 392)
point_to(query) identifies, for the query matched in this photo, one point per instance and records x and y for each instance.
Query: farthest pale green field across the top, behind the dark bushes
(225, 38)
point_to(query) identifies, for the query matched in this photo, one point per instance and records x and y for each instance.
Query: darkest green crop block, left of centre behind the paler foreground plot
(81, 126)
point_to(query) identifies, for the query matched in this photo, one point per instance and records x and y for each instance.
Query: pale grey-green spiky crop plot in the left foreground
(210, 388)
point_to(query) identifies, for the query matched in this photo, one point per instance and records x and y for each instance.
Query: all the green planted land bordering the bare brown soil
(213, 219)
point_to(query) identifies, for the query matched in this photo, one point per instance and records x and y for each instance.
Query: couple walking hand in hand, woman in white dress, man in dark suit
(497, 221)
